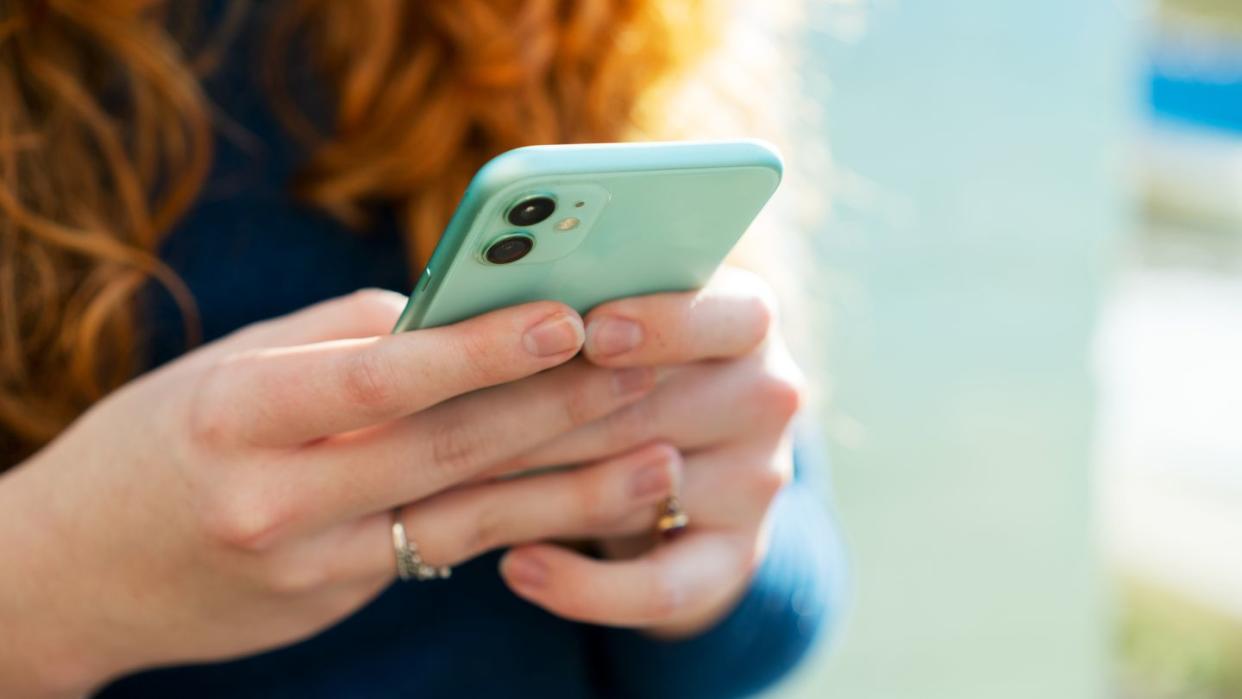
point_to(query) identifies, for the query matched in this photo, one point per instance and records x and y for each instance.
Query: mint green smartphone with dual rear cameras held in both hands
(589, 224)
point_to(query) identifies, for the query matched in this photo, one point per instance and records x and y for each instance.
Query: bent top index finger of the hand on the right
(728, 318)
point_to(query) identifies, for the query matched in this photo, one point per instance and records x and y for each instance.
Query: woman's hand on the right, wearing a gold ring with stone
(727, 395)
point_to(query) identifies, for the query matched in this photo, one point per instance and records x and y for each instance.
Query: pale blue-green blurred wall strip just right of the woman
(981, 192)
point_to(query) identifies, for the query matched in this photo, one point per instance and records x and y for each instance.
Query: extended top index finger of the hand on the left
(289, 397)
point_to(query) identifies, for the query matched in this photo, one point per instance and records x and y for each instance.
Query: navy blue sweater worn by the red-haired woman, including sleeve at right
(249, 251)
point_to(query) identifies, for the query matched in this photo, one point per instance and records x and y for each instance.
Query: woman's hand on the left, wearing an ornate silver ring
(240, 498)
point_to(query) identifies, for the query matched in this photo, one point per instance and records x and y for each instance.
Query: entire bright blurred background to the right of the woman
(1033, 265)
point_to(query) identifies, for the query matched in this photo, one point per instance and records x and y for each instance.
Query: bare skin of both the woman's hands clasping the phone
(240, 498)
